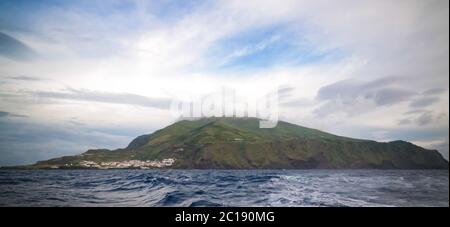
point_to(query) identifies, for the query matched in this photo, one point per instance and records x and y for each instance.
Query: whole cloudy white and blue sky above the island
(76, 75)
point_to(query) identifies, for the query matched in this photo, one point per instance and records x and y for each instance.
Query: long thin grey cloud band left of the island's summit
(106, 97)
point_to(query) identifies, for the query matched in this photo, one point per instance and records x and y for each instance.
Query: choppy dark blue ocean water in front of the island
(224, 188)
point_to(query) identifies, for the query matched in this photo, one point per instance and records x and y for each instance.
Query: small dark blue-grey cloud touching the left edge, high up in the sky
(15, 49)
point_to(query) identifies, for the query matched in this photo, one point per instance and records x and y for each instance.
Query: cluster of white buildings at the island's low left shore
(129, 164)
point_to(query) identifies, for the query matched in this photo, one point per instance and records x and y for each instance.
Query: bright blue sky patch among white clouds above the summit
(267, 46)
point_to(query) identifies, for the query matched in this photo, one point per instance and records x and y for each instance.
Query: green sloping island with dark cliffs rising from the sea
(238, 143)
